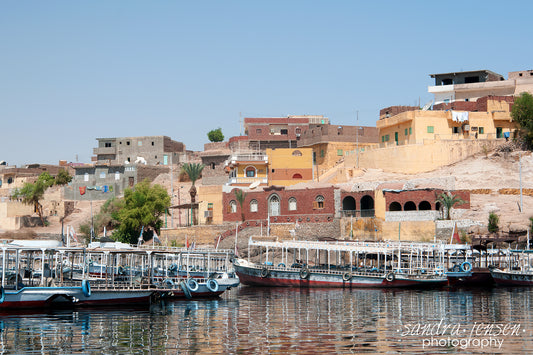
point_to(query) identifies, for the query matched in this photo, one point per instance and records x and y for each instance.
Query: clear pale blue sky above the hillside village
(72, 71)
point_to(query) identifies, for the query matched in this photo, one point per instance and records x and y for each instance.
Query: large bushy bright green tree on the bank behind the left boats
(143, 205)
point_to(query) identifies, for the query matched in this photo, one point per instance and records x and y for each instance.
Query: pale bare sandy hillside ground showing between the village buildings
(492, 172)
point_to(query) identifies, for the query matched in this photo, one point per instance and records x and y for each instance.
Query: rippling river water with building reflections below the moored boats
(288, 320)
